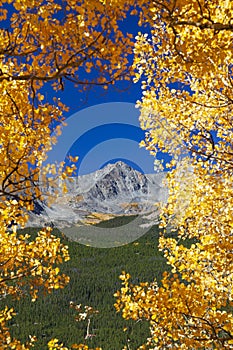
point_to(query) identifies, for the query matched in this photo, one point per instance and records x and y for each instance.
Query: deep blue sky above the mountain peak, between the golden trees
(102, 140)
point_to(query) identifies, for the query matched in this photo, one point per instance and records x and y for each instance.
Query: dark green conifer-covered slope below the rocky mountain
(94, 278)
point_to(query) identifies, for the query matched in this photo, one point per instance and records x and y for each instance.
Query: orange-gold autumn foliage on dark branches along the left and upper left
(45, 43)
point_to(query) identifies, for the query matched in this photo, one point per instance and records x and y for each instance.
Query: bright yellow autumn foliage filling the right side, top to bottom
(186, 108)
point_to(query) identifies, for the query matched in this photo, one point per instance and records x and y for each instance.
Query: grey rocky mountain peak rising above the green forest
(117, 189)
